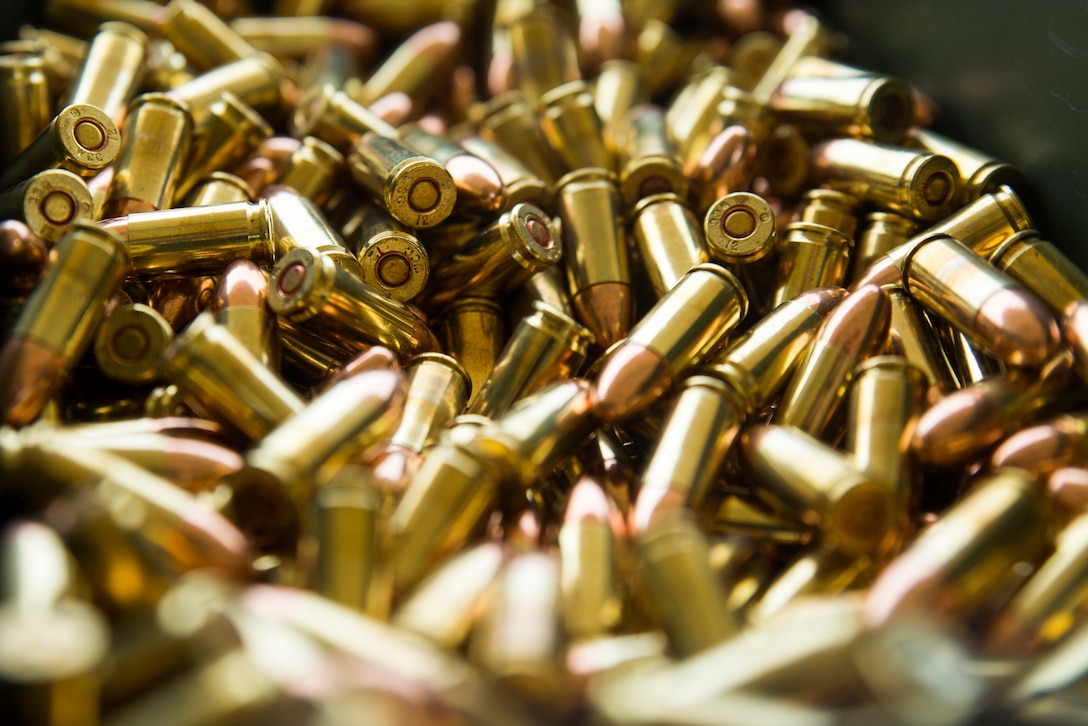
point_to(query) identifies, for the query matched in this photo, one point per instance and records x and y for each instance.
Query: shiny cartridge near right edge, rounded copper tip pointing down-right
(955, 284)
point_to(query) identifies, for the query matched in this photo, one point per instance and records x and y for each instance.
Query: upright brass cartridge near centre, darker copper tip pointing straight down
(598, 268)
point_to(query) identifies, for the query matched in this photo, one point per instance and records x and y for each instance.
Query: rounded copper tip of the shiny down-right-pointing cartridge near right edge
(1018, 328)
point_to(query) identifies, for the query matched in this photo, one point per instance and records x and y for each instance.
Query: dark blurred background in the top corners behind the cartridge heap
(1010, 78)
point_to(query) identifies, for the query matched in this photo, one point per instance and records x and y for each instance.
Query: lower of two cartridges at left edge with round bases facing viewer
(50, 203)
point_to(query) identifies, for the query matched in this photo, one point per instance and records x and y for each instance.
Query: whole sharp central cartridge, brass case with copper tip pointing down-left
(688, 324)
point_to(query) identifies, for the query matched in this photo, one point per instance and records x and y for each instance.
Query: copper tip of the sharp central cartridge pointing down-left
(633, 379)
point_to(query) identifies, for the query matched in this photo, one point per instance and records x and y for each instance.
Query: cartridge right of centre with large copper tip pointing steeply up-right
(855, 331)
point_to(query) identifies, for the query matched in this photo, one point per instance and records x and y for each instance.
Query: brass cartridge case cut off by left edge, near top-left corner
(24, 103)
